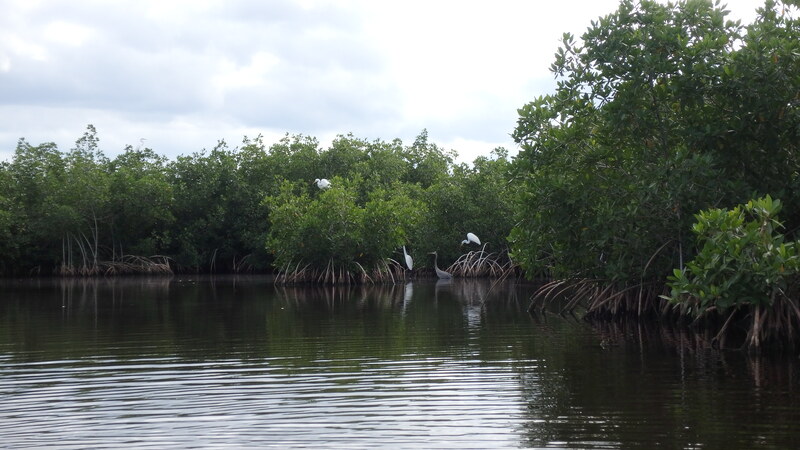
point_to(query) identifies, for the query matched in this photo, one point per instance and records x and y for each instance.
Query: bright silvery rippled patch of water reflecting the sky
(156, 402)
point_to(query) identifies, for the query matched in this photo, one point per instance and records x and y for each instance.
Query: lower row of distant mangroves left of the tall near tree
(249, 208)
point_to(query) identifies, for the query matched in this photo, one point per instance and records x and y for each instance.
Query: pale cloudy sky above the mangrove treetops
(179, 76)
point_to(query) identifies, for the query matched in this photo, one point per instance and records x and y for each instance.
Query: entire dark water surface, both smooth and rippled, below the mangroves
(236, 362)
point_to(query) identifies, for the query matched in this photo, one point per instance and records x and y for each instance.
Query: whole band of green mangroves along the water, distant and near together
(648, 184)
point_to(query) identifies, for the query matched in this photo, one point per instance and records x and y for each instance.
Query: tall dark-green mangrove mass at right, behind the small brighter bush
(662, 111)
